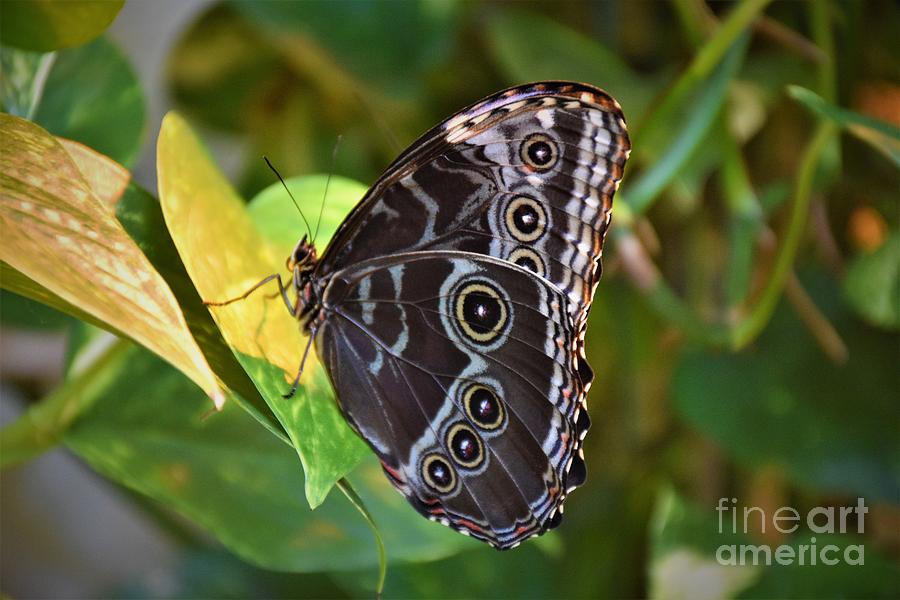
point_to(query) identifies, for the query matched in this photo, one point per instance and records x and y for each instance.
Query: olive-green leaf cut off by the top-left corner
(46, 25)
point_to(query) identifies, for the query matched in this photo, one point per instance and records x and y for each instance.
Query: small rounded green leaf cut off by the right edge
(872, 284)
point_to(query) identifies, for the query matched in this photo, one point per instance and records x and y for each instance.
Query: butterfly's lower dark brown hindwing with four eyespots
(460, 371)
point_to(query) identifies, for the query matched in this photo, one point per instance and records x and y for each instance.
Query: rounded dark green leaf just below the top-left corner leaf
(92, 95)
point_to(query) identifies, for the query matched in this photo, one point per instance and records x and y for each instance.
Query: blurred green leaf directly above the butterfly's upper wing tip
(512, 35)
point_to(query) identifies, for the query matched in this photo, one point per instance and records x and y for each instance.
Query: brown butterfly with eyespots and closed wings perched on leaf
(449, 309)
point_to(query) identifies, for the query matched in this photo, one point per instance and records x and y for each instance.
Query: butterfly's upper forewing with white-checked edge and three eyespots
(527, 175)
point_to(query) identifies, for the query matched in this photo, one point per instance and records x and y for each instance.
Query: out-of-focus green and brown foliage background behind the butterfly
(744, 335)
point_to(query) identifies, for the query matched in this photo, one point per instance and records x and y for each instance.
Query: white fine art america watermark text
(787, 520)
